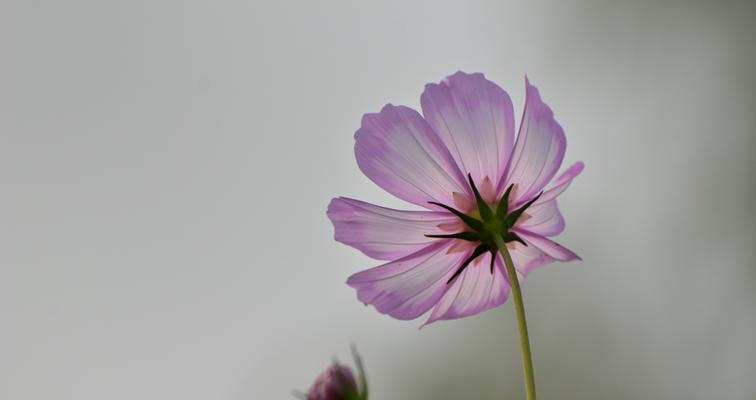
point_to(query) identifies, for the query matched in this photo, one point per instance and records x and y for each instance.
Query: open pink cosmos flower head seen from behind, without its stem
(461, 162)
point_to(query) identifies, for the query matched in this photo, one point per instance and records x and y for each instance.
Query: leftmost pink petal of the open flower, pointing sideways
(384, 233)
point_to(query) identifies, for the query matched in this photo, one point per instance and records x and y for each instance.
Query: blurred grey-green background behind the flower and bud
(166, 165)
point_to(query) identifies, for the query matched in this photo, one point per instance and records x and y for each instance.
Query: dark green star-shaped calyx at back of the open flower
(485, 224)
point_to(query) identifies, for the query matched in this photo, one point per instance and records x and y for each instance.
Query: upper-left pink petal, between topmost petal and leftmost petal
(399, 151)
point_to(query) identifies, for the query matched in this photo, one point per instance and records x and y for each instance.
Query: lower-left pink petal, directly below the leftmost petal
(407, 288)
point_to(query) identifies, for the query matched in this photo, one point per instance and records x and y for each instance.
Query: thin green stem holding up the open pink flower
(527, 361)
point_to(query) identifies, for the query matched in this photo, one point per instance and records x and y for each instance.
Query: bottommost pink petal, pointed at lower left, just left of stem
(474, 291)
